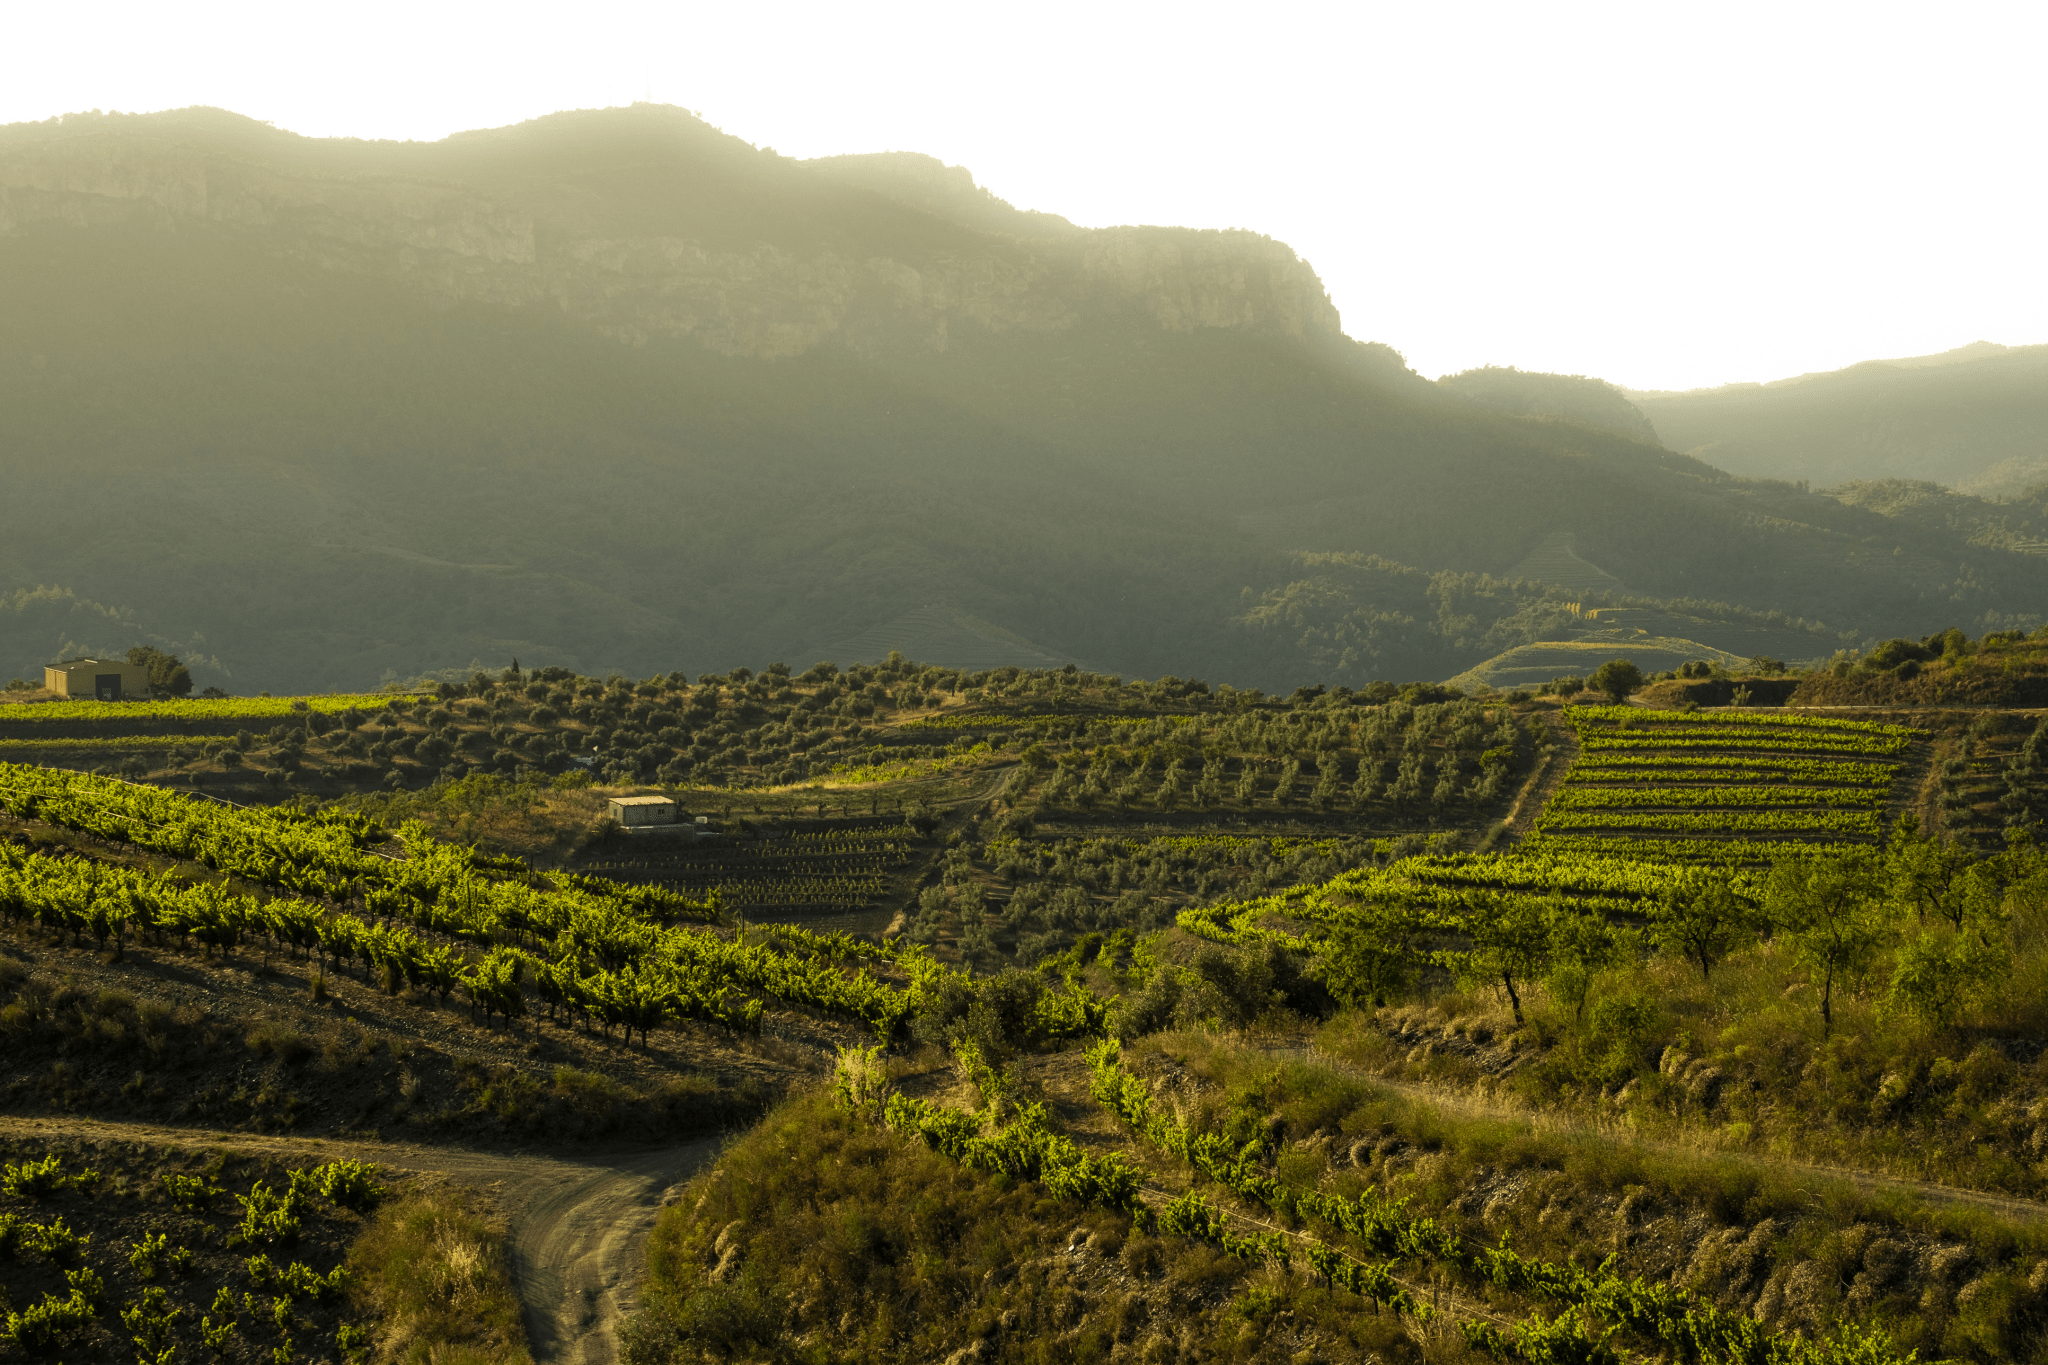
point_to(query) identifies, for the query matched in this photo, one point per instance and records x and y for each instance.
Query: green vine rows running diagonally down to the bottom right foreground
(1365, 1243)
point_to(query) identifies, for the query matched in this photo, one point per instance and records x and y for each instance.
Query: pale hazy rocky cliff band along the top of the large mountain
(542, 236)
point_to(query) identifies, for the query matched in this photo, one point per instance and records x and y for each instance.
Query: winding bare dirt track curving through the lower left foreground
(577, 1225)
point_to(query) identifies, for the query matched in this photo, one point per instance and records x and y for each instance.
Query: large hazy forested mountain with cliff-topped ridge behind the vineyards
(620, 392)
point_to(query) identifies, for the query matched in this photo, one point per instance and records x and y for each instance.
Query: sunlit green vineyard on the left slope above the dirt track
(431, 916)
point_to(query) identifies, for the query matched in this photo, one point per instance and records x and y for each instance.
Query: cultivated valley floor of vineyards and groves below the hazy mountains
(1129, 1020)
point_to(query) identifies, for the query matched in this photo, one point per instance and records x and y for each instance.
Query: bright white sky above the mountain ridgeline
(1654, 193)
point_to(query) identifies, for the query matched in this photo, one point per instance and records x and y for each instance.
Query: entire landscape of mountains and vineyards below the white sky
(703, 756)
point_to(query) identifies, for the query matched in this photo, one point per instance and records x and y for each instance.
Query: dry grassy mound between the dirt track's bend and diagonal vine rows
(824, 1239)
